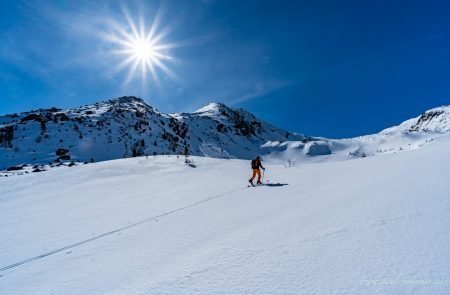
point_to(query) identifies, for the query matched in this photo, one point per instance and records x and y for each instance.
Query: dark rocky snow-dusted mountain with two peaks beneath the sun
(127, 127)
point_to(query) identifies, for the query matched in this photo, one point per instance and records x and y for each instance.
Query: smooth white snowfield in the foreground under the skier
(374, 225)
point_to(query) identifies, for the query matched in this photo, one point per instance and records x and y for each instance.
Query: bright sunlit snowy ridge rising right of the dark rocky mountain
(409, 135)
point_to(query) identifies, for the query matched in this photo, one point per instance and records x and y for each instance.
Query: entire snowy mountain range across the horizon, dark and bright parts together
(128, 127)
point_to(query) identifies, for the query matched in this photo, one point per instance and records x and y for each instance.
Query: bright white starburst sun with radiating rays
(142, 49)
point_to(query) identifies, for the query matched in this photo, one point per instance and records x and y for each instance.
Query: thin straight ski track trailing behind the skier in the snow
(117, 230)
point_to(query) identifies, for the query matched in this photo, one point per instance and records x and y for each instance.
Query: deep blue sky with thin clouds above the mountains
(324, 68)
